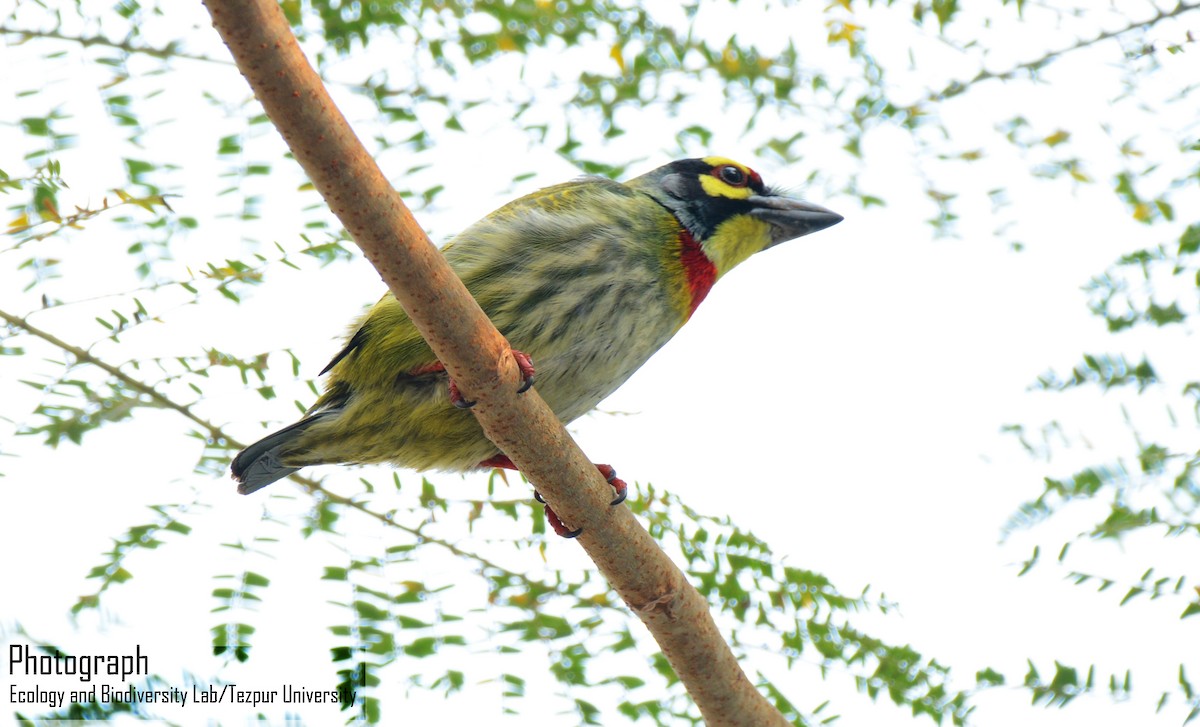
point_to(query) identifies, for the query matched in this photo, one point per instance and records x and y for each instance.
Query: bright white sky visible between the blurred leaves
(842, 398)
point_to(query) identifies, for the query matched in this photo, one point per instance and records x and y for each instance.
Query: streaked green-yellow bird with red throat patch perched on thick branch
(586, 280)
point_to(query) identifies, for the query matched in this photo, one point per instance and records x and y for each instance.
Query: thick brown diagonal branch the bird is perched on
(481, 362)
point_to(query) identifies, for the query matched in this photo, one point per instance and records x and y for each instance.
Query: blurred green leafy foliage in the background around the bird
(823, 92)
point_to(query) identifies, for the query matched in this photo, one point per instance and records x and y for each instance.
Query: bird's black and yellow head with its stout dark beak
(729, 211)
